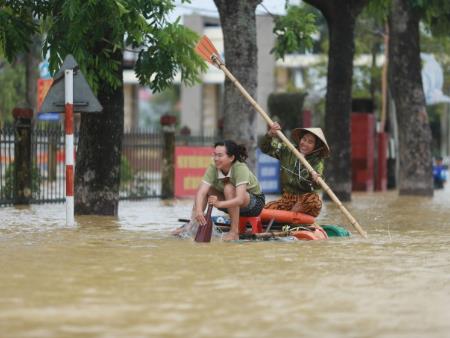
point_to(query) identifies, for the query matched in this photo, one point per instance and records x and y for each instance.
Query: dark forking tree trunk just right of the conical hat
(340, 16)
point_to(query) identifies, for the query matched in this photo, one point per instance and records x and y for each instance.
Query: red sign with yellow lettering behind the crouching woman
(190, 166)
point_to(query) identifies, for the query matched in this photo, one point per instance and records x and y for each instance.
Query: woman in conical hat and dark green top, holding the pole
(299, 187)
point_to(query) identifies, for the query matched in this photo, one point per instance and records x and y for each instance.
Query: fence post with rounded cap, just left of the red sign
(168, 172)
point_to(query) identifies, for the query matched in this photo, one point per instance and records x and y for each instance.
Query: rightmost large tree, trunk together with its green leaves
(405, 81)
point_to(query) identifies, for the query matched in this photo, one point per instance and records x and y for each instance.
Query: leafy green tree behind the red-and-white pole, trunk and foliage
(97, 32)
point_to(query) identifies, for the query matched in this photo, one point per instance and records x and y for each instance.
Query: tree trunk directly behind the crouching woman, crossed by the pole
(238, 22)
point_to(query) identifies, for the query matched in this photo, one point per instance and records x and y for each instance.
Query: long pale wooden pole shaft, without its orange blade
(302, 159)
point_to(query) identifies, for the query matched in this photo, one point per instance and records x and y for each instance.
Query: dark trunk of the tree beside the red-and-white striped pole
(97, 170)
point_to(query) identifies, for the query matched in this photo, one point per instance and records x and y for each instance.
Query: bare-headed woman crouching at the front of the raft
(229, 185)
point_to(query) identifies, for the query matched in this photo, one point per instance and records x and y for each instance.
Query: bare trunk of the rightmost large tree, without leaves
(415, 175)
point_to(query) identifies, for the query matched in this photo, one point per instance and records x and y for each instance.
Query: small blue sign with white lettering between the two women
(268, 173)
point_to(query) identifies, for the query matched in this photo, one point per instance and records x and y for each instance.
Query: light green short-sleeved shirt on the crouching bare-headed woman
(239, 174)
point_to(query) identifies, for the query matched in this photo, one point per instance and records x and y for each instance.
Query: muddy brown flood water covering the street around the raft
(128, 277)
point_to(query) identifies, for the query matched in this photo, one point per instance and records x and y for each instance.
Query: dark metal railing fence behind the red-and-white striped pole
(140, 163)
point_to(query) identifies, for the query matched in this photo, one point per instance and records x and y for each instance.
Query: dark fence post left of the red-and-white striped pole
(22, 155)
